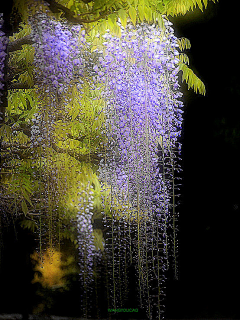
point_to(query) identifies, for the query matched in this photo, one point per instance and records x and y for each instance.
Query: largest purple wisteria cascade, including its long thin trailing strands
(143, 125)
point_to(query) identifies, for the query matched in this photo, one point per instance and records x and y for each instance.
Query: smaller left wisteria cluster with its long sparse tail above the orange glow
(59, 63)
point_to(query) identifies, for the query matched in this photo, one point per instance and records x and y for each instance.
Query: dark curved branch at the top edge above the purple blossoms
(69, 15)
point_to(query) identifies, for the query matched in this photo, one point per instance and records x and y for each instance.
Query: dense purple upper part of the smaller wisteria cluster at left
(58, 54)
